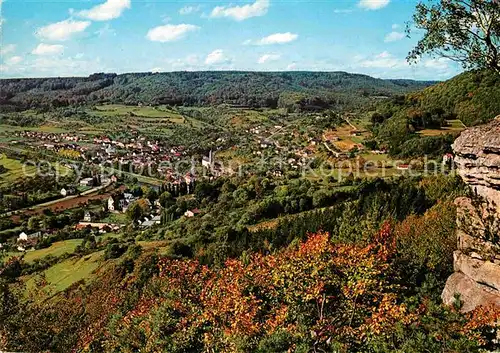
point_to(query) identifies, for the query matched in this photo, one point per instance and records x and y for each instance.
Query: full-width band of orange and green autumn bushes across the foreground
(313, 296)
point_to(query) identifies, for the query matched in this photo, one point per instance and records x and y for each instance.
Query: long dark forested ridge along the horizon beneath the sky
(300, 90)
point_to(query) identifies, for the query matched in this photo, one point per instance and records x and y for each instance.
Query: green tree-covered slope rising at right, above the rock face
(472, 97)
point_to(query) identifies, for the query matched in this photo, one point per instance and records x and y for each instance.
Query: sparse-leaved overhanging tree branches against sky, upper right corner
(466, 31)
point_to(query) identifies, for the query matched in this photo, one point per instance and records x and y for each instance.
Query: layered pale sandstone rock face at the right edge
(477, 261)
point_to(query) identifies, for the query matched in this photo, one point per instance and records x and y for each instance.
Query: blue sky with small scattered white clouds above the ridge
(42, 38)
